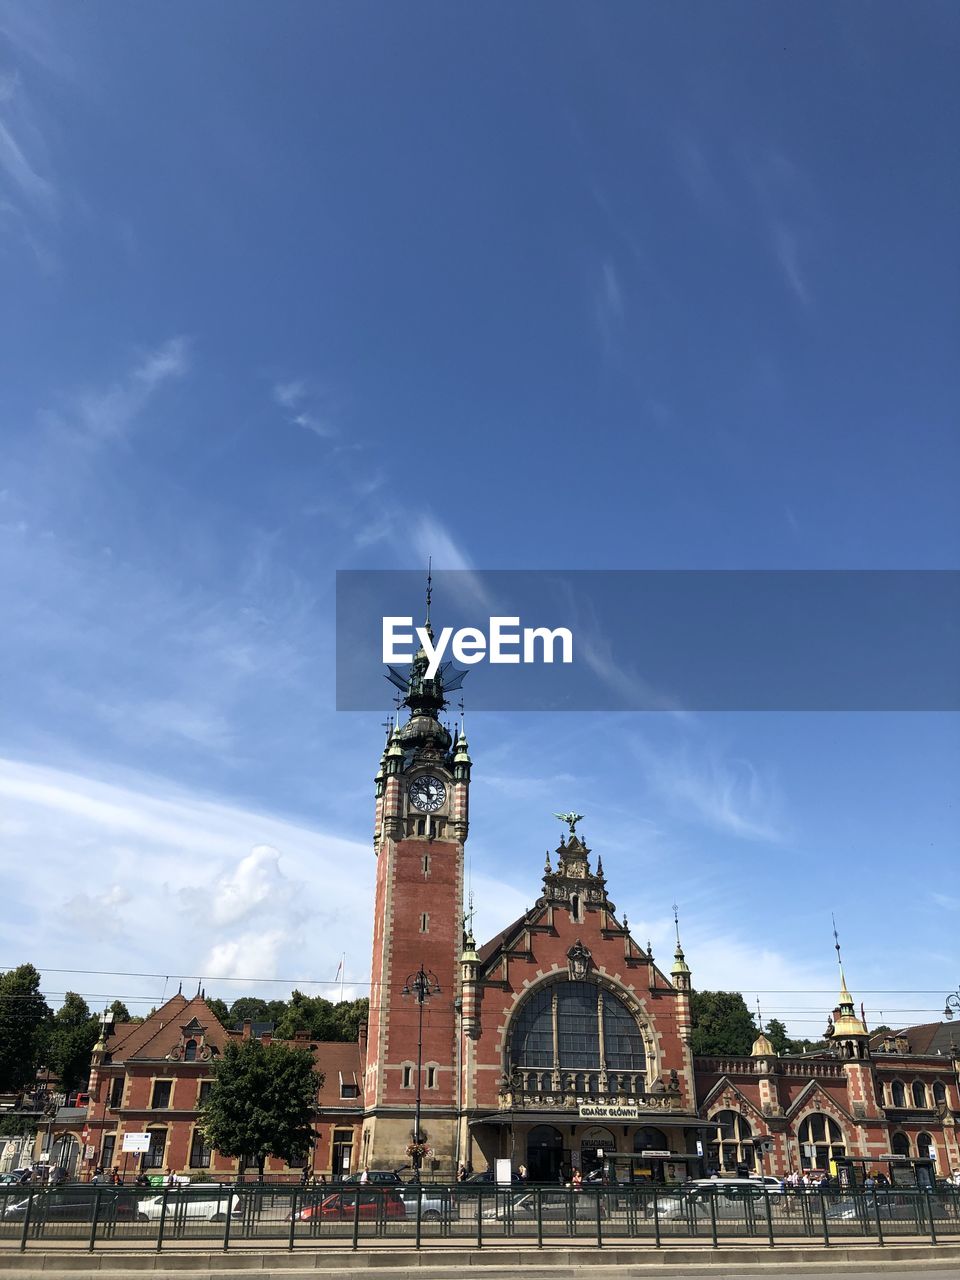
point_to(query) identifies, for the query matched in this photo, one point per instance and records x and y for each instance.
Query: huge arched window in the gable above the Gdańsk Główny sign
(575, 1030)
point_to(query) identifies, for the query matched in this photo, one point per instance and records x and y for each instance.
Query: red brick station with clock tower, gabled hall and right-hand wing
(563, 1037)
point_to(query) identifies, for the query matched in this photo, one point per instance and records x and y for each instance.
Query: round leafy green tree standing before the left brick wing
(262, 1104)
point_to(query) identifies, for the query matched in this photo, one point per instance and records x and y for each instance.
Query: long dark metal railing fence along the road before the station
(221, 1217)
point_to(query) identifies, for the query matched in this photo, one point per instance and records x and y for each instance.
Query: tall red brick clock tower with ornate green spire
(420, 830)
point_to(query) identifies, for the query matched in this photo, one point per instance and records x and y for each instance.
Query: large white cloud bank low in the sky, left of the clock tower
(193, 884)
